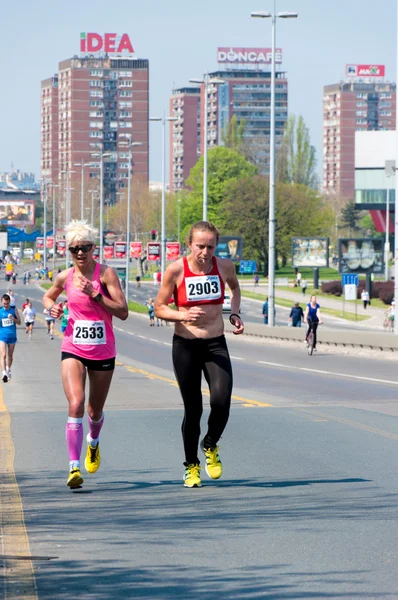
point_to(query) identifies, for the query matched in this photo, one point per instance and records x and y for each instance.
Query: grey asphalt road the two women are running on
(306, 508)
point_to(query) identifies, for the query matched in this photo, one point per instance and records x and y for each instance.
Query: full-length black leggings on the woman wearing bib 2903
(190, 359)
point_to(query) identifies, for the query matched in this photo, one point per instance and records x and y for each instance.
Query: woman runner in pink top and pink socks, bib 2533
(94, 297)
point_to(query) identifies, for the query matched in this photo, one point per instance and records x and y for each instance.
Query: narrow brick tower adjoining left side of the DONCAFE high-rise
(184, 134)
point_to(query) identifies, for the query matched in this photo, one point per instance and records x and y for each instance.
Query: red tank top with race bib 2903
(197, 289)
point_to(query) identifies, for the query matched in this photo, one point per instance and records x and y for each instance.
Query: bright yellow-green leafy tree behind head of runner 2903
(224, 165)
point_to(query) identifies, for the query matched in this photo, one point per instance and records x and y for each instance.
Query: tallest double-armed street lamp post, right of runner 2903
(271, 219)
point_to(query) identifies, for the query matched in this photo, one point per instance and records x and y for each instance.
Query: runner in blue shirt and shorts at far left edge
(9, 319)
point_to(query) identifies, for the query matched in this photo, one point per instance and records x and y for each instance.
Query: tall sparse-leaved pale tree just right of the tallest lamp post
(296, 161)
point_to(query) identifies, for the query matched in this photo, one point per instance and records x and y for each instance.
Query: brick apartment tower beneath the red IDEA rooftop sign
(99, 102)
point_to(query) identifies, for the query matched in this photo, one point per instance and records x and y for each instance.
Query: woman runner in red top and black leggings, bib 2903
(198, 284)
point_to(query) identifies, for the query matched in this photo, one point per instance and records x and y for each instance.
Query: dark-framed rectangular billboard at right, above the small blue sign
(361, 255)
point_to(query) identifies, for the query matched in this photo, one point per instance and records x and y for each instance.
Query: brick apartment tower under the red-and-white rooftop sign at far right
(349, 107)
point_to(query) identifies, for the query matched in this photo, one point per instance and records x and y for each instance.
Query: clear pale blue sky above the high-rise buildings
(180, 40)
